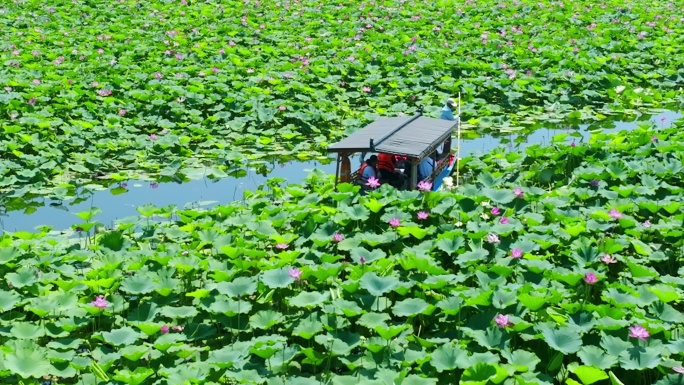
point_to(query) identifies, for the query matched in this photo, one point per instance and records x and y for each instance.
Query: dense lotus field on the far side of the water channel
(185, 89)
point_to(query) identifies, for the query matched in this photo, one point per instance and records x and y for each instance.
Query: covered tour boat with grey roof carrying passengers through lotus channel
(409, 138)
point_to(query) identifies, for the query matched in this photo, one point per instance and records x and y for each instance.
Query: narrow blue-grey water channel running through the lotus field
(120, 200)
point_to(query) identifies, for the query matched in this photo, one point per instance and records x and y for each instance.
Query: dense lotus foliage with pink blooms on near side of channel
(554, 265)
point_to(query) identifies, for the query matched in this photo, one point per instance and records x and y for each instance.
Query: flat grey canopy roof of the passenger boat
(413, 136)
